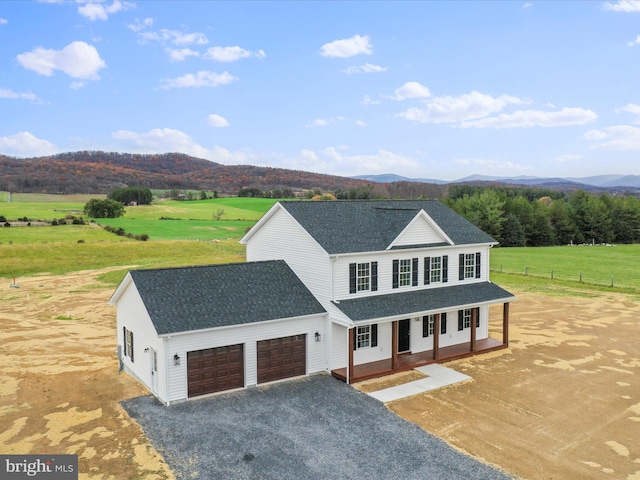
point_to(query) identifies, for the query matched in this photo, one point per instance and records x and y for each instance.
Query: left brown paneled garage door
(215, 369)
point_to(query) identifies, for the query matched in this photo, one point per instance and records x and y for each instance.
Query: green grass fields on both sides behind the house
(186, 240)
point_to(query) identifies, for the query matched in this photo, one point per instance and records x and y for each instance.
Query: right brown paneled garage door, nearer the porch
(282, 358)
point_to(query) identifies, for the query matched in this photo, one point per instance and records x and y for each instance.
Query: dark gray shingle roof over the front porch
(415, 301)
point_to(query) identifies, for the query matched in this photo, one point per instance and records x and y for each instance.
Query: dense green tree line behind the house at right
(536, 217)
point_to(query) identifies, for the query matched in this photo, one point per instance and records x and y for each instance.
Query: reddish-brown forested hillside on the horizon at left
(102, 172)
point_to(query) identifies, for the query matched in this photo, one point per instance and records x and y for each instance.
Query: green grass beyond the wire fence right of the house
(595, 265)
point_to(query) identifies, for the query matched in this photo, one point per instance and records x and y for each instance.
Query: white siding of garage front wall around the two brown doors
(248, 335)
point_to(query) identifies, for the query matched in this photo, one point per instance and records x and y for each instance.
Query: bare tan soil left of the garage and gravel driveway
(59, 383)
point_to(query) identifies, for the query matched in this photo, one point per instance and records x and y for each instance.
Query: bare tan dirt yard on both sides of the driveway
(562, 402)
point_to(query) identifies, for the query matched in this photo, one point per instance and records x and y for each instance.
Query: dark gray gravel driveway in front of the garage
(314, 428)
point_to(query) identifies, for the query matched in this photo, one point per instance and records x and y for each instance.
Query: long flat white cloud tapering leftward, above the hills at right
(535, 118)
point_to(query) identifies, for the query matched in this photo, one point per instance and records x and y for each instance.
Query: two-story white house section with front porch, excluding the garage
(405, 283)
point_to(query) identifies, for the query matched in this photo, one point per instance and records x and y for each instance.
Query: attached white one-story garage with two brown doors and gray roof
(216, 328)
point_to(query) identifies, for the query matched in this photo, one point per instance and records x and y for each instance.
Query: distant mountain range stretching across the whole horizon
(102, 172)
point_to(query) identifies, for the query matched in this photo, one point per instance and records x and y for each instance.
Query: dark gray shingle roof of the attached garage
(194, 298)
